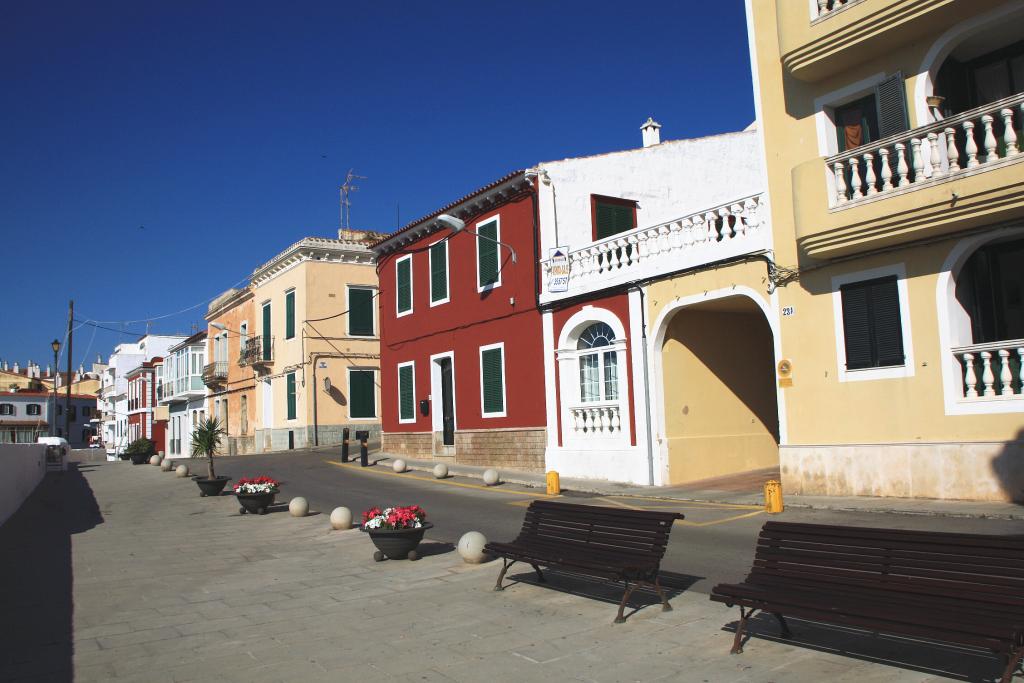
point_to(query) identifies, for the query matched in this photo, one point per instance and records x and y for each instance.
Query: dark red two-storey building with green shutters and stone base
(462, 357)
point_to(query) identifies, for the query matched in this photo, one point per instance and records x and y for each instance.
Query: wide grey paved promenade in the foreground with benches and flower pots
(149, 582)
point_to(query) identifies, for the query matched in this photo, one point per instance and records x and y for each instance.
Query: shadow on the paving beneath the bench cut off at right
(952, 662)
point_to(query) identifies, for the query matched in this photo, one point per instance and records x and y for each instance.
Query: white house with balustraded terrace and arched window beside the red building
(610, 226)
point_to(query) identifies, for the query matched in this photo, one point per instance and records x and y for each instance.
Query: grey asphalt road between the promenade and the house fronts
(715, 543)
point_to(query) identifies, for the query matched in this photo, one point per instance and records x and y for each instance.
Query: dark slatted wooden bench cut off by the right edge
(966, 589)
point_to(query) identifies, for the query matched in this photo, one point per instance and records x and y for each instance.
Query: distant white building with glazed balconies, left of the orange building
(184, 393)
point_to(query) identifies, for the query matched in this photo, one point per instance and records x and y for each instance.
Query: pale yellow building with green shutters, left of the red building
(315, 344)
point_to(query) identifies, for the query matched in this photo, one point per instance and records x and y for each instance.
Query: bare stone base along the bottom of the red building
(507, 449)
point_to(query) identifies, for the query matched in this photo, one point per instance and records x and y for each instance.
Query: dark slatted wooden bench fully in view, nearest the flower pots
(611, 543)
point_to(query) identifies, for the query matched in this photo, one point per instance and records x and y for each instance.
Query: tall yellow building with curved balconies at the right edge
(892, 136)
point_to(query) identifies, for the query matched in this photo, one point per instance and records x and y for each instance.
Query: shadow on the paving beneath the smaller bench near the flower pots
(607, 591)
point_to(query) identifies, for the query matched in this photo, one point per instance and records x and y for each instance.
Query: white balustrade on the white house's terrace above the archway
(705, 237)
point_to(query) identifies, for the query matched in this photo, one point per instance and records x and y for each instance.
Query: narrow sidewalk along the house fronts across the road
(745, 489)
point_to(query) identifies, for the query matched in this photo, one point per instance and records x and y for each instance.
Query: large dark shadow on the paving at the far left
(36, 581)
